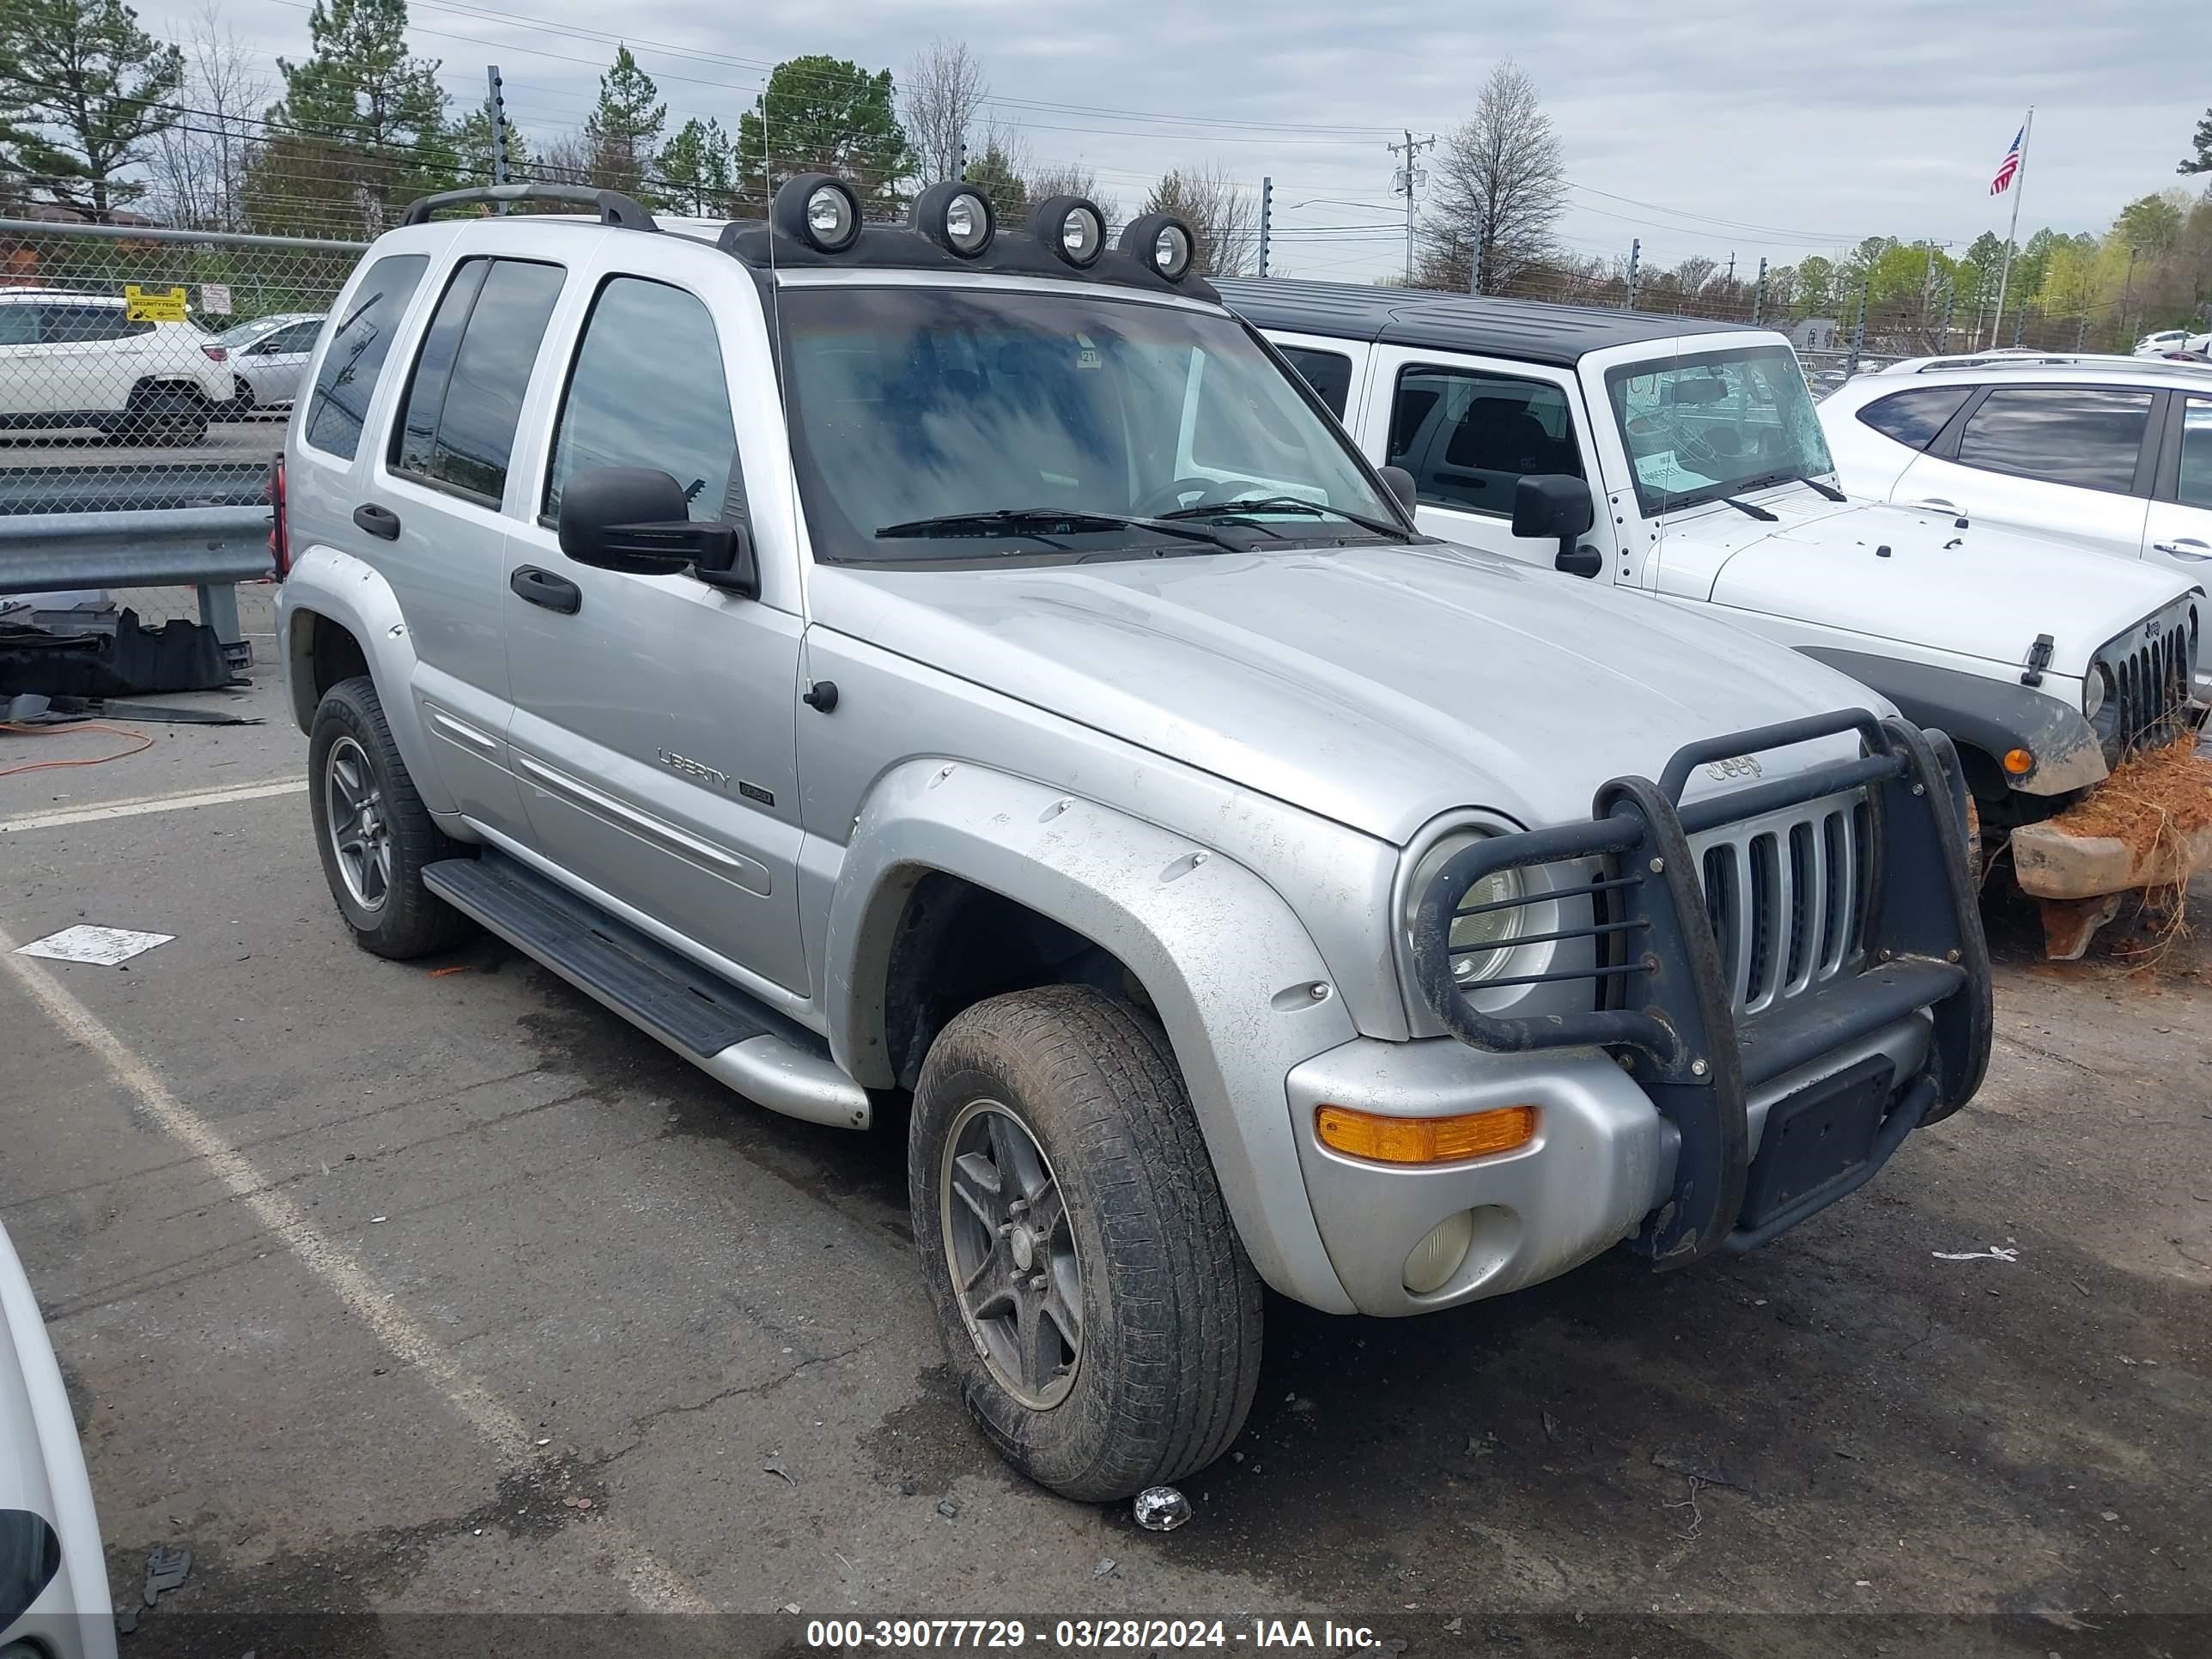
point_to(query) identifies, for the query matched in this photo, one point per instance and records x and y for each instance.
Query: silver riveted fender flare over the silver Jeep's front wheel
(1231, 970)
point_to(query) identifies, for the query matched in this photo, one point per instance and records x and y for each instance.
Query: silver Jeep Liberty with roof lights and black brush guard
(970, 669)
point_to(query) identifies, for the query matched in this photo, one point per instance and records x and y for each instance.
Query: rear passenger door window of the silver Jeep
(466, 395)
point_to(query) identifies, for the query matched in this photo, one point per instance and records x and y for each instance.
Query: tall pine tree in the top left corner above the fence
(81, 92)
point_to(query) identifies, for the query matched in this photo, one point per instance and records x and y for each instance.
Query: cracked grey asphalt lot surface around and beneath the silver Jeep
(410, 1293)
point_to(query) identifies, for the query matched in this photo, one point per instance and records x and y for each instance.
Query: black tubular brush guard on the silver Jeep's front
(1665, 1005)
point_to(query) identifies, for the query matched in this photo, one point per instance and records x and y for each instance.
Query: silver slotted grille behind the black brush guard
(1786, 899)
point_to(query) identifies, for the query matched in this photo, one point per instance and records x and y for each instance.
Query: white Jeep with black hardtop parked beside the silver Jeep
(1684, 459)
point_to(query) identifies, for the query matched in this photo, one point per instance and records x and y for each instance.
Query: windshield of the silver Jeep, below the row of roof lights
(1063, 413)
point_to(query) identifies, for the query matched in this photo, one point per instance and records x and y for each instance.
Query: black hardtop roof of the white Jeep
(1512, 328)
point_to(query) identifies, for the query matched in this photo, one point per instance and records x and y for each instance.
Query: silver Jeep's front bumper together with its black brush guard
(1665, 1116)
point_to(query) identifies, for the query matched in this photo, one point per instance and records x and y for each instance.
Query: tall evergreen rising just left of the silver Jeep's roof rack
(362, 127)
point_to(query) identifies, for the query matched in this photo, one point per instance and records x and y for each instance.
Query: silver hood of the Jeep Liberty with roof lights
(1377, 687)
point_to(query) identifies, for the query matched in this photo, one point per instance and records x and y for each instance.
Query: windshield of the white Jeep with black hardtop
(1715, 424)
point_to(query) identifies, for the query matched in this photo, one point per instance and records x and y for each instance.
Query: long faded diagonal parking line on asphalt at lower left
(651, 1583)
